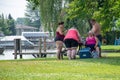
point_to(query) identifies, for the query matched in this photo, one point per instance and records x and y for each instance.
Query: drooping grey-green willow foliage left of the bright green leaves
(50, 11)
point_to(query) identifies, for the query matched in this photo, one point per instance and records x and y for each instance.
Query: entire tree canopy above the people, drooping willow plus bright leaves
(78, 12)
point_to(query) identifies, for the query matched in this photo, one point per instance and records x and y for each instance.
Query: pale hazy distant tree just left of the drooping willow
(32, 16)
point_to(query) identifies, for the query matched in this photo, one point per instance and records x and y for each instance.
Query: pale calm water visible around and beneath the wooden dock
(8, 55)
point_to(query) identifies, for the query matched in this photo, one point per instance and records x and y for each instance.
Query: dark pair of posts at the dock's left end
(17, 48)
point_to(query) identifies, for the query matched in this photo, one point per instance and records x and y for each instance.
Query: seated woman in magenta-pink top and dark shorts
(92, 41)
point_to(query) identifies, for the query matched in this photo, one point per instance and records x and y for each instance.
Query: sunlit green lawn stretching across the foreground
(106, 68)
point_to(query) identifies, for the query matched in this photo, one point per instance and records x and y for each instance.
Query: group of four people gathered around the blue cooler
(71, 38)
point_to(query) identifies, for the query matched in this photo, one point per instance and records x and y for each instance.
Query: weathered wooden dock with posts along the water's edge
(40, 53)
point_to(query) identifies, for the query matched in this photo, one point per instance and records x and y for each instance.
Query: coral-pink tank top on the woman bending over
(72, 34)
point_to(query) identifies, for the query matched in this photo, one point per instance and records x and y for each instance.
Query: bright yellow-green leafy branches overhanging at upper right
(104, 11)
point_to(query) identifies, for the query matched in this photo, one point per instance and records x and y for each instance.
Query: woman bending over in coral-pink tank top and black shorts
(72, 40)
